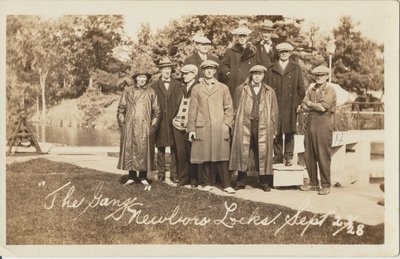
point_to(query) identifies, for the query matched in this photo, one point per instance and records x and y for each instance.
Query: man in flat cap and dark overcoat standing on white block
(286, 78)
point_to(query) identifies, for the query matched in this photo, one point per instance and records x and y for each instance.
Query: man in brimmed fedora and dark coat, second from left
(164, 87)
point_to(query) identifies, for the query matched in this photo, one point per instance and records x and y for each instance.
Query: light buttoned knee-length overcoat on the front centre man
(211, 117)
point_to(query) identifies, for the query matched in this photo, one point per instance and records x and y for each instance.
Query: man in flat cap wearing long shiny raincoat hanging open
(256, 114)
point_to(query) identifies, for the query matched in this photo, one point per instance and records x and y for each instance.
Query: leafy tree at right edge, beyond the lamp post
(357, 62)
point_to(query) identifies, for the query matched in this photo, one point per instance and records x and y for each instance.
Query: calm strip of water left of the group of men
(73, 136)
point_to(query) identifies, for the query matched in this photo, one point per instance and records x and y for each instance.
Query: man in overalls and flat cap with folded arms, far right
(320, 102)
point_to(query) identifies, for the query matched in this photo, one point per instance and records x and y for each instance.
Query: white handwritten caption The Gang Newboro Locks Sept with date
(134, 211)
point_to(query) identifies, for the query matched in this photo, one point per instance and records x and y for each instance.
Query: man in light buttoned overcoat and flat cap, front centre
(209, 125)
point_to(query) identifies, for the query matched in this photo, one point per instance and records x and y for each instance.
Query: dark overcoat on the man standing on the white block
(289, 90)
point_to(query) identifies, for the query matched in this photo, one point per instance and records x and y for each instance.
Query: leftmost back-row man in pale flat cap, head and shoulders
(202, 46)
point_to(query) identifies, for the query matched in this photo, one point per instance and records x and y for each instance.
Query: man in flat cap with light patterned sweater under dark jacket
(187, 172)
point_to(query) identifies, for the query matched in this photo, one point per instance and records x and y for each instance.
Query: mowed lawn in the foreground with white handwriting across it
(34, 219)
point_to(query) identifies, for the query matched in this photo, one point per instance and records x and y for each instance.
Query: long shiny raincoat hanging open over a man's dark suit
(267, 128)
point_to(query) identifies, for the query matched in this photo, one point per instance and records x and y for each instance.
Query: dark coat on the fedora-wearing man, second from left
(164, 133)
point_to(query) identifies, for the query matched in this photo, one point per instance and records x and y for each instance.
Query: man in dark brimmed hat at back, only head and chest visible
(265, 47)
